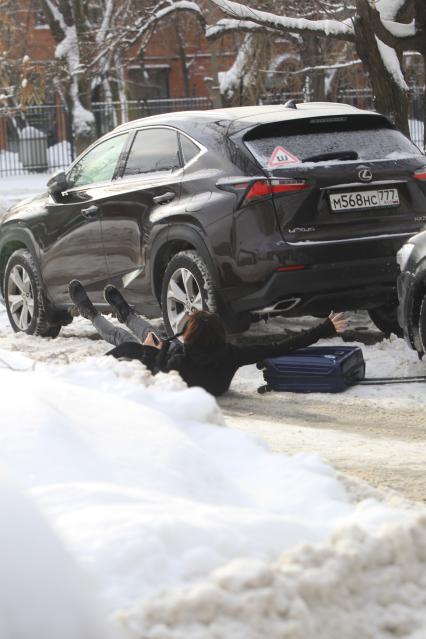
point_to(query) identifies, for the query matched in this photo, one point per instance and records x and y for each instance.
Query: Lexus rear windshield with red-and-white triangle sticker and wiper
(327, 140)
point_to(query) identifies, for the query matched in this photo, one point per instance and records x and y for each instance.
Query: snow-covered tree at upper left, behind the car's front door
(92, 38)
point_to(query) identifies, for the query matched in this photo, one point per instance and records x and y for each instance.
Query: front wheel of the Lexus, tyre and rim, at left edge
(24, 298)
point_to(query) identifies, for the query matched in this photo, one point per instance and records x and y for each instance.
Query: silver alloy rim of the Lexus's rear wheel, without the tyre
(183, 297)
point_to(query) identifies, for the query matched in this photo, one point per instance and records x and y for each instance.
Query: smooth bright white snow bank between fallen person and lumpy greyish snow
(143, 487)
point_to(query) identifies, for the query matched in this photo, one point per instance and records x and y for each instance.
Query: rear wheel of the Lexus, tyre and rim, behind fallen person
(187, 286)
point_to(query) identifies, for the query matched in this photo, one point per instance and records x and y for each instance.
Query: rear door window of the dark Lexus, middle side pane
(153, 150)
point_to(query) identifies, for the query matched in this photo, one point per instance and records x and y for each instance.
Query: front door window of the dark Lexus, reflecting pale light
(98, 165)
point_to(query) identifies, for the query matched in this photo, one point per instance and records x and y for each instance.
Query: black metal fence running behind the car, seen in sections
(39, 138)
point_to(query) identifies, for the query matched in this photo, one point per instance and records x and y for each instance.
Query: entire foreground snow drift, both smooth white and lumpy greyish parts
(193, 530)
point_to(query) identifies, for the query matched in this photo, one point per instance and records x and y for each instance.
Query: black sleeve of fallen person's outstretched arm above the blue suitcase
(257, 352)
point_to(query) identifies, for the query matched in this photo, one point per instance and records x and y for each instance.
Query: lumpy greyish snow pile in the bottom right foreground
(369, 585)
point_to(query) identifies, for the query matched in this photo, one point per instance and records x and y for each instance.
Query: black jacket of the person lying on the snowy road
(214, 369)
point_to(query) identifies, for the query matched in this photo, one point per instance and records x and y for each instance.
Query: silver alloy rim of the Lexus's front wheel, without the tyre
(20, 296)
